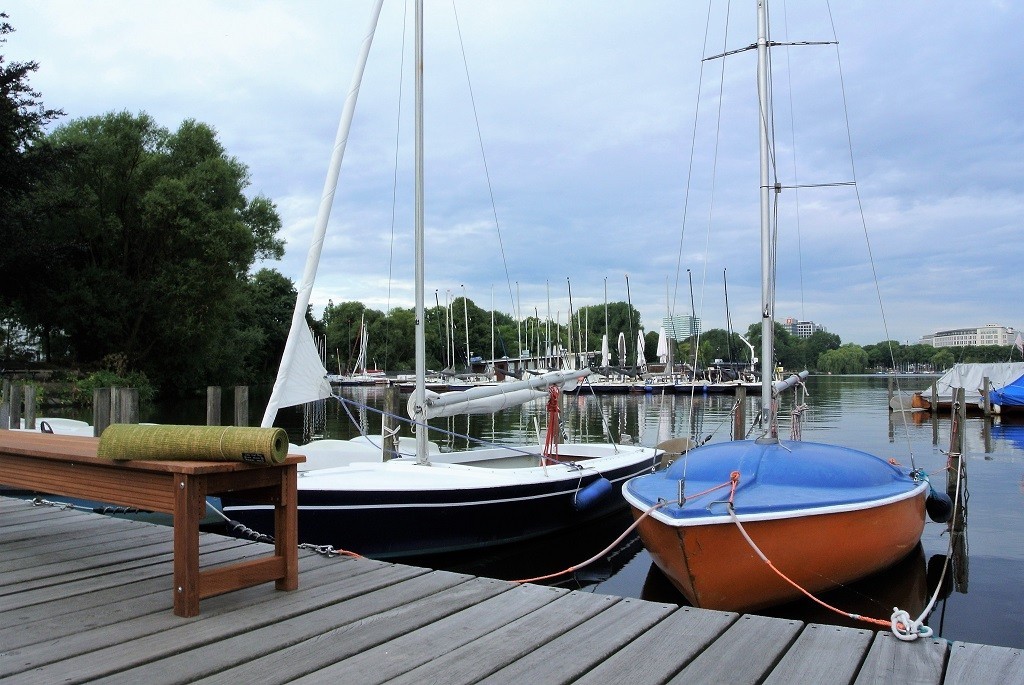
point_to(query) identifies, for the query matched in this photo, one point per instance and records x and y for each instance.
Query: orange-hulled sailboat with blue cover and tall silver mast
(746, 525)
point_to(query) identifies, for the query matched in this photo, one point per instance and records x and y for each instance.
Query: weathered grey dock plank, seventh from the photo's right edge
(510, 644)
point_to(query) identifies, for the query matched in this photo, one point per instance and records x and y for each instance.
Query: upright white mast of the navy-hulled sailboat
(420, 395)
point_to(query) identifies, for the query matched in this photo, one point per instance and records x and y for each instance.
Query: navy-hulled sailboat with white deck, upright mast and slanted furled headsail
(422, 501)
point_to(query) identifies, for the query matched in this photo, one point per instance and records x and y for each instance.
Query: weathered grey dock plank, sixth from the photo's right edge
(575, 653)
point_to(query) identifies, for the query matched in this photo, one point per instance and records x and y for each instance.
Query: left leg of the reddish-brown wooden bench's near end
(190, 506)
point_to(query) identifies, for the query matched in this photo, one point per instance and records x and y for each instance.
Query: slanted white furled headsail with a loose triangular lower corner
(297, 366)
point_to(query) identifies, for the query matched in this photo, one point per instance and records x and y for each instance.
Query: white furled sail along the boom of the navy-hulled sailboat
(490, 399)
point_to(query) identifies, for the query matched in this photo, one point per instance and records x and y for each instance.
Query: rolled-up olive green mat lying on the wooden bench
(207, 444)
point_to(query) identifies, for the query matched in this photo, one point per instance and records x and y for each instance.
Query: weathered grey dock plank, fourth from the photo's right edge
(745, 654)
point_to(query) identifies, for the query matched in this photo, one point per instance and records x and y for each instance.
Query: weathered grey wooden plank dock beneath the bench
(84, 598)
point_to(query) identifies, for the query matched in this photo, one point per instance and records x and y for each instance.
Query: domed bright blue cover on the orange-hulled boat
(776, 480)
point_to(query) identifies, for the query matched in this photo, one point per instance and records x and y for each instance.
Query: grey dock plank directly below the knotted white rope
(893, 661)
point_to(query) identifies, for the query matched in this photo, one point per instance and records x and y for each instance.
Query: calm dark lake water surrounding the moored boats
(982, 600)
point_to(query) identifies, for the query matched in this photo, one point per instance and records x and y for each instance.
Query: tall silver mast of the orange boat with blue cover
(767, 306)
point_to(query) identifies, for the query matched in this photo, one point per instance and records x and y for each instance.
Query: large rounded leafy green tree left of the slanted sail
(161, 240)
